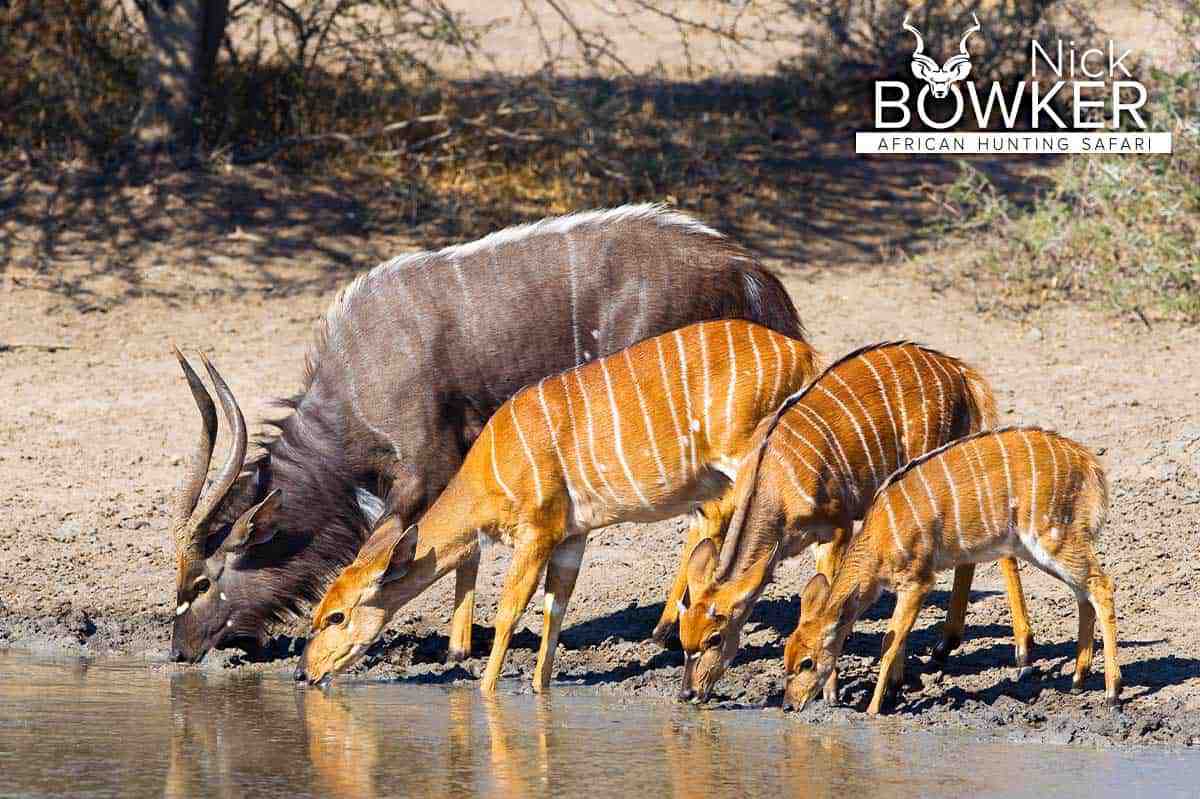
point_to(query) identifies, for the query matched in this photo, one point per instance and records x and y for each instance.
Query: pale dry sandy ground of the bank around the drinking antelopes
(92, 437)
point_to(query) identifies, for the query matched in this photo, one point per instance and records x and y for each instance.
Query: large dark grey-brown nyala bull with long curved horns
(407, 365)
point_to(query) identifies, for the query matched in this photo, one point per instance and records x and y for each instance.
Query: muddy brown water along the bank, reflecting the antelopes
(88, 729)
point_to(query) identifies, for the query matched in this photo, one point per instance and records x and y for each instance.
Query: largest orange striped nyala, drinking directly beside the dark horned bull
(647, 434)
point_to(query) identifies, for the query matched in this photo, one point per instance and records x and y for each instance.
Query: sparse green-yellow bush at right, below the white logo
(1119, 232)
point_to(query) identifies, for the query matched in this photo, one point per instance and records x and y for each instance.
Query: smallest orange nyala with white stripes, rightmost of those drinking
(1017, 492)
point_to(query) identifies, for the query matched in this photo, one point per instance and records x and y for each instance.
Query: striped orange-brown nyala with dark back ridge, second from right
(819, 462)
